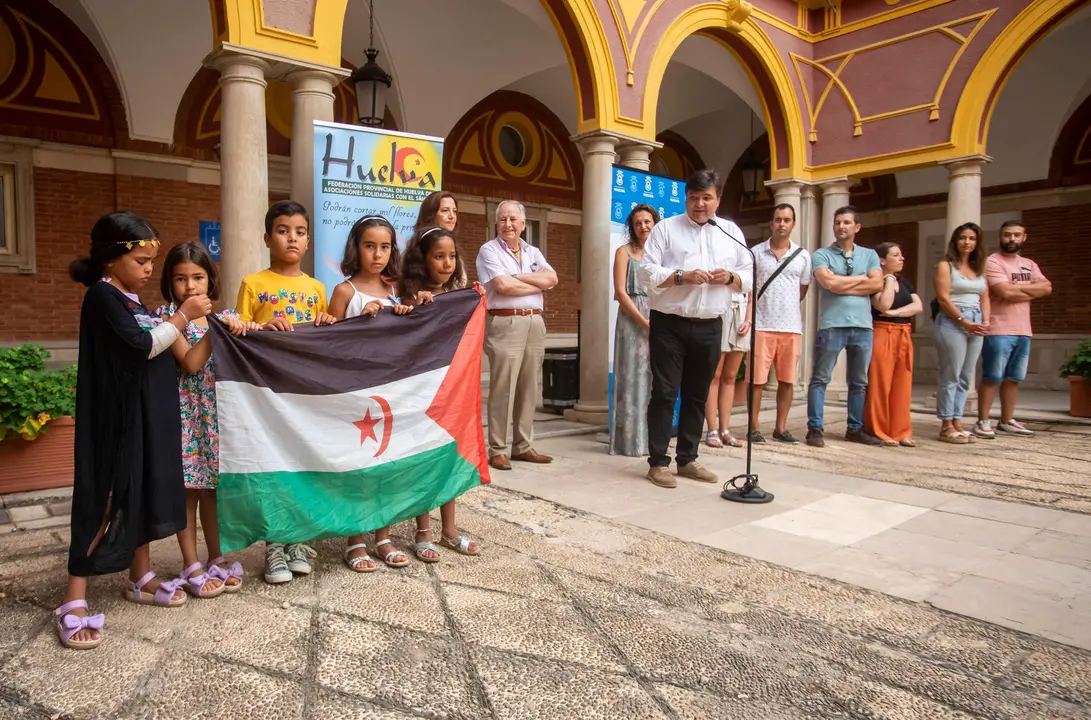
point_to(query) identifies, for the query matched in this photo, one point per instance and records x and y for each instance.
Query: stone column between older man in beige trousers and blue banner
(596, 266)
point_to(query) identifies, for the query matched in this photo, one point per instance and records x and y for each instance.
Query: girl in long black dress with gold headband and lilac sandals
(128, 488)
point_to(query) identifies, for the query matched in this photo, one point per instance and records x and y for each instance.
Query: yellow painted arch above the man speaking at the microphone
(715, 16)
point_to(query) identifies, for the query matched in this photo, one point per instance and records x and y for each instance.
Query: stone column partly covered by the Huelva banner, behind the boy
(313, 99)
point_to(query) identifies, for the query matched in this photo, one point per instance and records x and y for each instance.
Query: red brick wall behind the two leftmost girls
(45, 306)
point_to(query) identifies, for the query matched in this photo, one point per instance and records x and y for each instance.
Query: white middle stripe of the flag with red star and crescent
(262, 431)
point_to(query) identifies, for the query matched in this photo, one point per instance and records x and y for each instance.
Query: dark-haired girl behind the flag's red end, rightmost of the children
(431, 267)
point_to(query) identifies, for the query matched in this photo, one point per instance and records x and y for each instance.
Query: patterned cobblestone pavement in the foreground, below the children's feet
(566, 616)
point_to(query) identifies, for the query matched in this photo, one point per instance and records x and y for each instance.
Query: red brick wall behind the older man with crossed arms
(562, 303)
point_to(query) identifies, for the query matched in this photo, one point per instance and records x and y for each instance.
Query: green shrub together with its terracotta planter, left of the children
(38, 430)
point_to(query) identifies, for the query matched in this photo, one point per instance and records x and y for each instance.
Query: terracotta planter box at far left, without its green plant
(42, 464)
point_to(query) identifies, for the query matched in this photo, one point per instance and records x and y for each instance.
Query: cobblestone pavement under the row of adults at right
(1050, 470)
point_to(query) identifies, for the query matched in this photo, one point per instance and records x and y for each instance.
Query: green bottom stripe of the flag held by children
(304, 507)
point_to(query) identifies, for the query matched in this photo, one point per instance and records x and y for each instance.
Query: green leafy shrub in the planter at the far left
(30, 395)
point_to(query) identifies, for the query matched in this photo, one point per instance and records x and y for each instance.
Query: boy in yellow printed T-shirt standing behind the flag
(278, 298)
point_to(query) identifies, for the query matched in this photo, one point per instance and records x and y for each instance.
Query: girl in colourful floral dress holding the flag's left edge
(190, 271)
